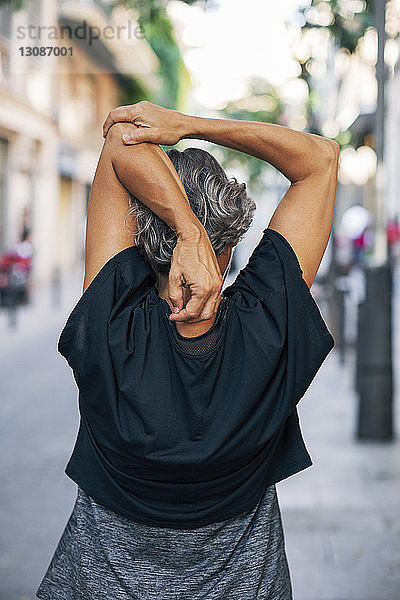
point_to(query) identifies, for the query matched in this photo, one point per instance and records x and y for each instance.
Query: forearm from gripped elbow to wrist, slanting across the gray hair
(147, 173)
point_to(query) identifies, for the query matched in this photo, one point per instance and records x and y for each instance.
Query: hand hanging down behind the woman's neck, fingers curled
(195, 266)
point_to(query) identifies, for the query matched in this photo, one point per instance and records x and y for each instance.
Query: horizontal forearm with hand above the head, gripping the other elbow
(296, 154)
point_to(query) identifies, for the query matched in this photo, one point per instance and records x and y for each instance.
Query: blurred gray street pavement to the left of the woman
(38, 424)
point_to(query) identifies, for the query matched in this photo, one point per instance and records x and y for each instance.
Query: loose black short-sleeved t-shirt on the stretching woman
(182, 432)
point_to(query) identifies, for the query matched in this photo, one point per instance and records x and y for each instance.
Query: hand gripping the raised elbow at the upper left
(155, 123)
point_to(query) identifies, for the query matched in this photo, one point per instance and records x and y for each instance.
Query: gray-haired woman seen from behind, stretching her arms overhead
(188, 397)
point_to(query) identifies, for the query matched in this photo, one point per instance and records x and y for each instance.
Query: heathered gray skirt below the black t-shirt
(102, 555)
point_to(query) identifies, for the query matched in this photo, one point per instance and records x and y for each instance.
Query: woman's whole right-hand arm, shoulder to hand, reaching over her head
(310, 162)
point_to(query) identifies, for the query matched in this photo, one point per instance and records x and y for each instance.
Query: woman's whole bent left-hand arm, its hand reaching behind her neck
(146, 172)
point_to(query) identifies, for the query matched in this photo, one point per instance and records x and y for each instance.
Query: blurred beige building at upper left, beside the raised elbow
(51, 110)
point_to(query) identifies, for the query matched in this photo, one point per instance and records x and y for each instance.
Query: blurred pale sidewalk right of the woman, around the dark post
(342, 515)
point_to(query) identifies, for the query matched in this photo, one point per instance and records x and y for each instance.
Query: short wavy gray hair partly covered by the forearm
(221, 205)
